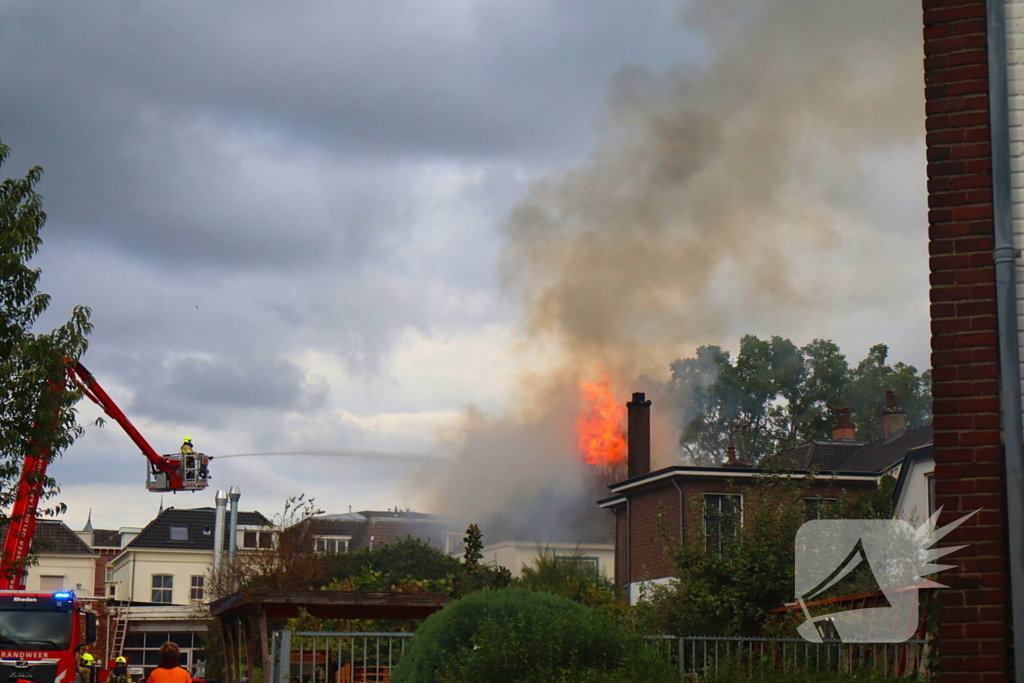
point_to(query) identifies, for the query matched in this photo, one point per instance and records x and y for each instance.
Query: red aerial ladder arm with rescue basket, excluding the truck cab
(166, 474)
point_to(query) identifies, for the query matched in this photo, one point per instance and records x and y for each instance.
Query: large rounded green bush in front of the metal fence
(514, 635)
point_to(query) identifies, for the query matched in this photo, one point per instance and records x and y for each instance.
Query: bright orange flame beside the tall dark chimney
(603, 440)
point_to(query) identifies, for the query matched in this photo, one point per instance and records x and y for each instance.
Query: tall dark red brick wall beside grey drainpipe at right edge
(968, 455)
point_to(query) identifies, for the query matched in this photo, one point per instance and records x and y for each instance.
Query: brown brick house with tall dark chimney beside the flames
(656, 511)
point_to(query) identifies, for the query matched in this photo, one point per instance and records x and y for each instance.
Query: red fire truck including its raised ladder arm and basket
(41, 634)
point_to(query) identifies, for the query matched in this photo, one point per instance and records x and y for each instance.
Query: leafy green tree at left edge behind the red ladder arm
(37, 414)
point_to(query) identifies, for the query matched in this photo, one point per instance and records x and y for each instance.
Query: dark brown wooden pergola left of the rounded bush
(249, 612)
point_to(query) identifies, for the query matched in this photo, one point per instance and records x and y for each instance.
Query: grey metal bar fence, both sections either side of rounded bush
(370, 658)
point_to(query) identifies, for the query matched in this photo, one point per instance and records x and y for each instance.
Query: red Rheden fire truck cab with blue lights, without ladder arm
(41, 635)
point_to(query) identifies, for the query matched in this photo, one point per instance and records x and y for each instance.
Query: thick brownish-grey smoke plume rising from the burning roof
(716, 197)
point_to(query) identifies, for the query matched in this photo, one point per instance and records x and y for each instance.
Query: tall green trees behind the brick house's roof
(775, 396)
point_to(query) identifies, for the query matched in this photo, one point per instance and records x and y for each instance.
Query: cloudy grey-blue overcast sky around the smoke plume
(290, 222)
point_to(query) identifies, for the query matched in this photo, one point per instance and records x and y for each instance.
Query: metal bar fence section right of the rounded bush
(703, 657)
